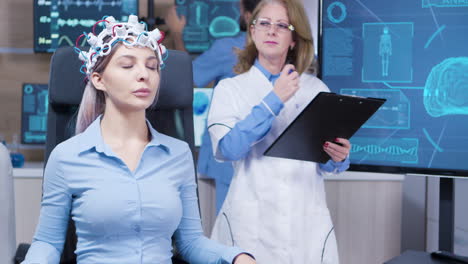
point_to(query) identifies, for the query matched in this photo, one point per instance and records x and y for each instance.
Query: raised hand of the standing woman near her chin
(287, 84)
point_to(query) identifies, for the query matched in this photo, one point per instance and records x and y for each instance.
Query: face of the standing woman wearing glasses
(269, 34)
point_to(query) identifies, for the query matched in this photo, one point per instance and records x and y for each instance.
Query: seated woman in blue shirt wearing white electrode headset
(128, 188)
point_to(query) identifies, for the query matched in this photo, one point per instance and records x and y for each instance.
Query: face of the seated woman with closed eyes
(130, 80)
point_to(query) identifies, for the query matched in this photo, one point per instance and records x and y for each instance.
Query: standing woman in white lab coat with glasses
(275, 208)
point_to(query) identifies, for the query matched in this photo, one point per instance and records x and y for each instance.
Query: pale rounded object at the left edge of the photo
(7, 209)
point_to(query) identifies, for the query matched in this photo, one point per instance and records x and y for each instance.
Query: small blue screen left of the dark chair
(35, 103)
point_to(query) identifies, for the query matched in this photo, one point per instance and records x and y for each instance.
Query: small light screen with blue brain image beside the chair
(201, 106)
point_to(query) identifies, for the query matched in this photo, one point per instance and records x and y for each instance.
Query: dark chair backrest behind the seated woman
(173, 114)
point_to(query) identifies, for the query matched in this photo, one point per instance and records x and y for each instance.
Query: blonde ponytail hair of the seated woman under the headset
(93, 102)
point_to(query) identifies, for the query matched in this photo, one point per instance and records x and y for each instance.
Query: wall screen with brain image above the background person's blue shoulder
(208, 20)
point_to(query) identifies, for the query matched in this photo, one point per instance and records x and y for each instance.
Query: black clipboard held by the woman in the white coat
(325, 118)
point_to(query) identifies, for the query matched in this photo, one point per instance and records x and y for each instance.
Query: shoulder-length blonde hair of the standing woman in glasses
(302, 55)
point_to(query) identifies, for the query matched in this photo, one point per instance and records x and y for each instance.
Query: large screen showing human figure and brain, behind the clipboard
(415, 55)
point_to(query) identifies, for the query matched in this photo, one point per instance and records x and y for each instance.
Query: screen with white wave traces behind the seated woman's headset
(60, 22)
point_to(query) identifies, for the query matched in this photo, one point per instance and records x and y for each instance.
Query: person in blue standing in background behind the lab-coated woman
(213, 65)
